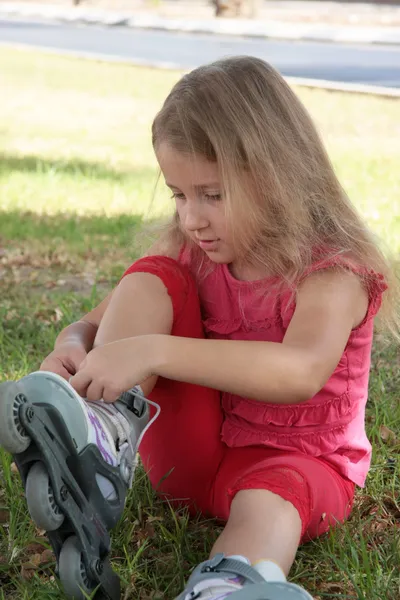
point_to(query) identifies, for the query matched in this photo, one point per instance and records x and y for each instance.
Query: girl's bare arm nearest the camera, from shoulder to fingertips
(329, 305)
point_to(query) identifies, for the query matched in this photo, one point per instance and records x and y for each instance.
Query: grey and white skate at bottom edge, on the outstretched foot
(220, 578)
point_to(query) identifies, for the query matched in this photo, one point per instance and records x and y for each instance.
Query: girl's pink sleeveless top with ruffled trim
(331, 424)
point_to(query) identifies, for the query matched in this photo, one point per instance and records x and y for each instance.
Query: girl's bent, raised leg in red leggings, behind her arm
(182, 449)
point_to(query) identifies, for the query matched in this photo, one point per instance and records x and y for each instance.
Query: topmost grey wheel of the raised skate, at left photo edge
(13, 436)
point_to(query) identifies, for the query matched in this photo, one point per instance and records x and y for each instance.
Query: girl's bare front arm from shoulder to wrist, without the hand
(329, 305)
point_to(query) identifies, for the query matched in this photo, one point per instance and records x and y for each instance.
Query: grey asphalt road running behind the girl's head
(373, 65)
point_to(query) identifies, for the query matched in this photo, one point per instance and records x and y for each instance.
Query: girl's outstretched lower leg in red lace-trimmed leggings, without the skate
(274, 500)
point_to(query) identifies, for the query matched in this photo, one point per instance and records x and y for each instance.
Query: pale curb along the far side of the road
(316, 32)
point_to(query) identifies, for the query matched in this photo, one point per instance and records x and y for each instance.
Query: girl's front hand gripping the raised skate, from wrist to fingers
(114, 368)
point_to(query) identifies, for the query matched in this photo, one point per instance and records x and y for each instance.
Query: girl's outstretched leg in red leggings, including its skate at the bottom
(272, 501)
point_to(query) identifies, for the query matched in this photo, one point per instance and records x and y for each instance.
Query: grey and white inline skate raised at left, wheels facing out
(77, 461)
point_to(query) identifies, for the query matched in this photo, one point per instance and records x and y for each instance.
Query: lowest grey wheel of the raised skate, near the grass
(72, 571)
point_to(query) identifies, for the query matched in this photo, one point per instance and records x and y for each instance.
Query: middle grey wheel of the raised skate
(40, 499)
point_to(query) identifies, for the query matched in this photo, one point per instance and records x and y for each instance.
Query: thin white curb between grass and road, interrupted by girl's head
(334, 86)
